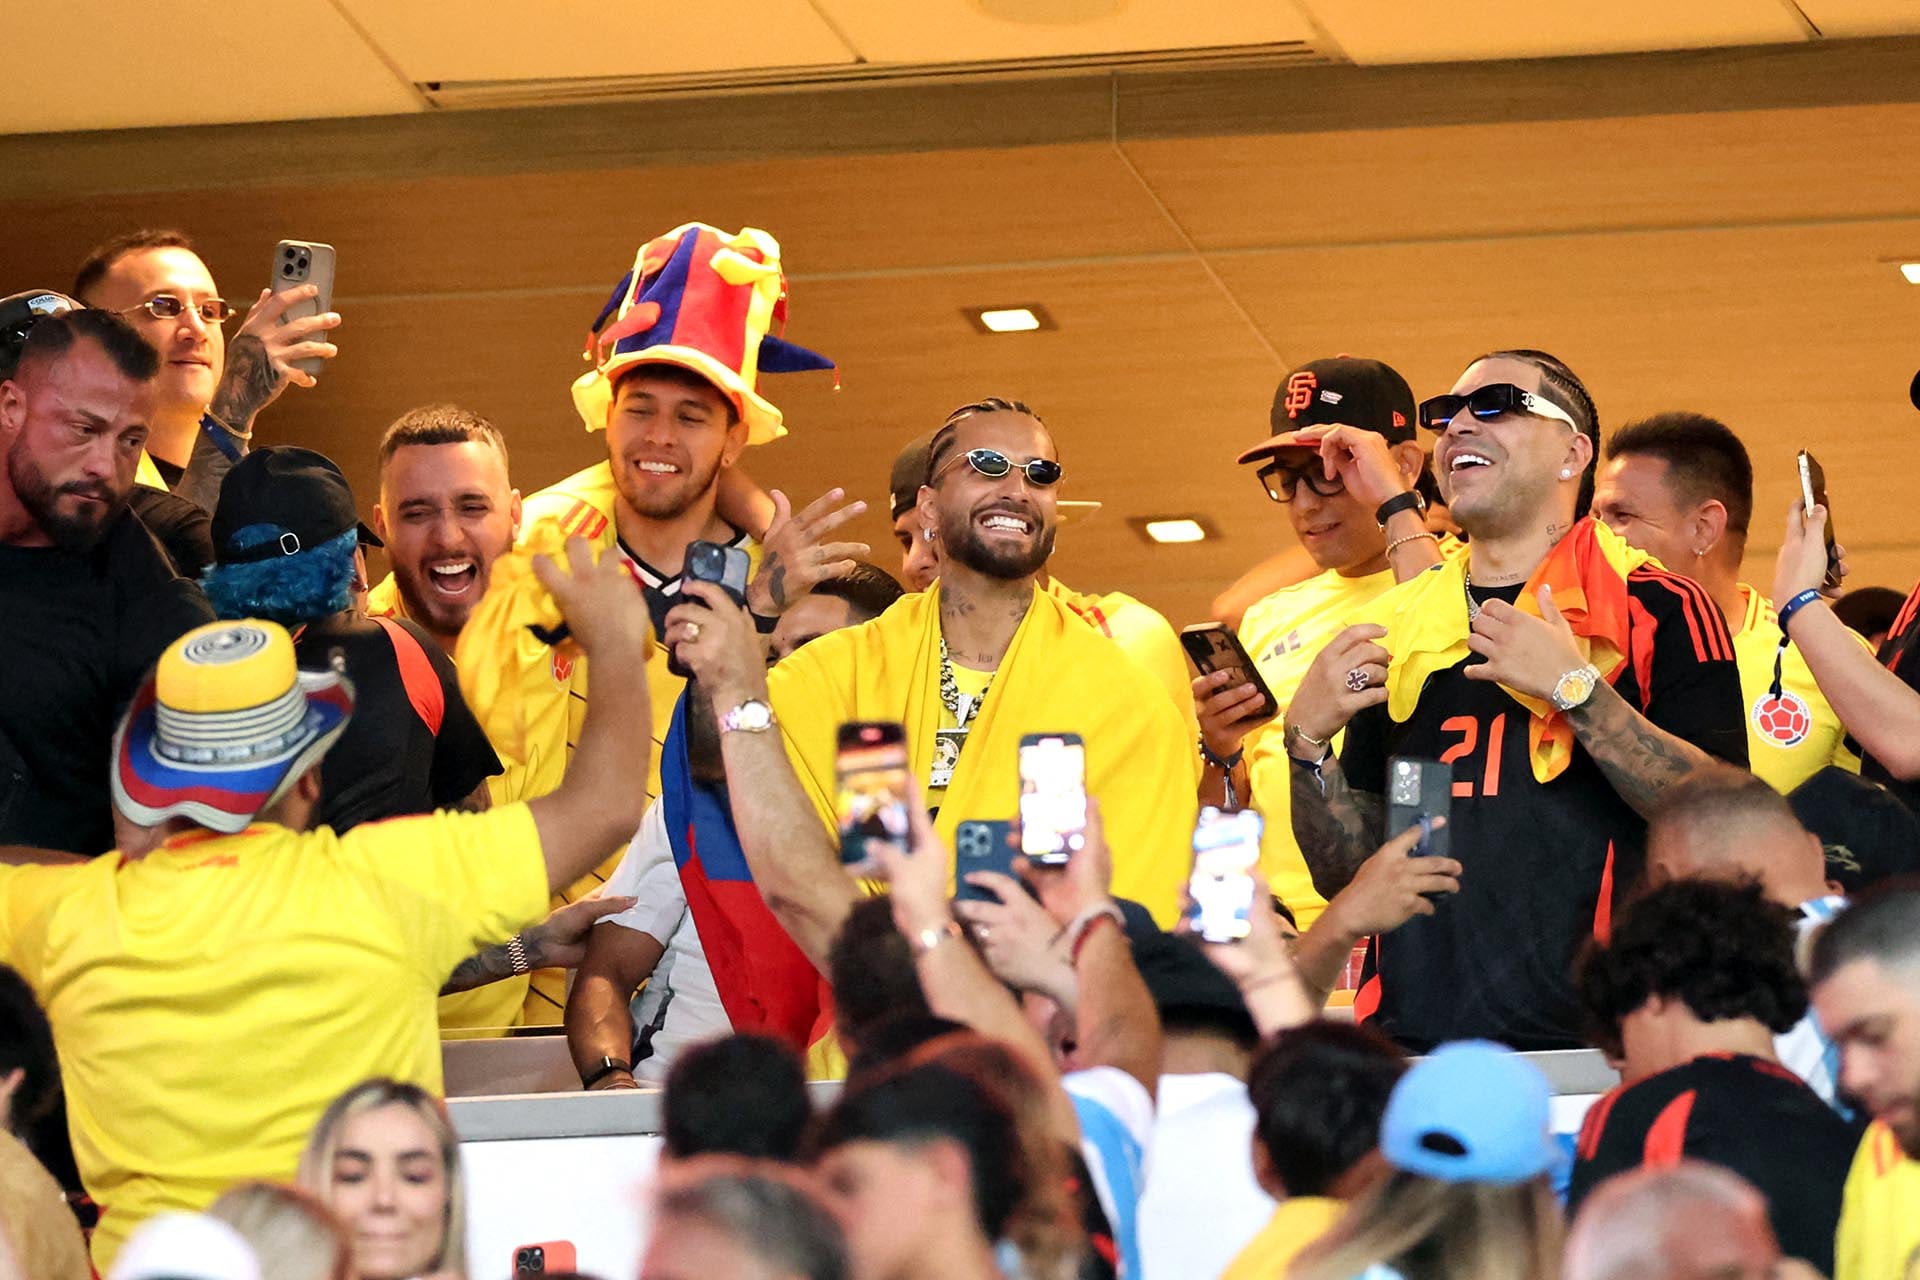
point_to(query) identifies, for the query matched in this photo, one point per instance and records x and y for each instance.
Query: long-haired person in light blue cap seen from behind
(1472, 1185)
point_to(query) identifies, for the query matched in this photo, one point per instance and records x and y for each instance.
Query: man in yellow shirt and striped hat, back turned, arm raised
(212, 995)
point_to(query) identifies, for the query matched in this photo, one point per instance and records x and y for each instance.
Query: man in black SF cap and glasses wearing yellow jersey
(1343, 462)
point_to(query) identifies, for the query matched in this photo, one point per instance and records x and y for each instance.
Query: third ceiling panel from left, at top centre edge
(940, 32)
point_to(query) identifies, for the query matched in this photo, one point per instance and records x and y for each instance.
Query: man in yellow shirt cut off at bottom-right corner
(1865, 980)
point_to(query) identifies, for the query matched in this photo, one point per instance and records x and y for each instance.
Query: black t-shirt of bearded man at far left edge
(82, 632)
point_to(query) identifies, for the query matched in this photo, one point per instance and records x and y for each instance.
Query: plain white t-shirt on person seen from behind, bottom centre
(1203, 1204)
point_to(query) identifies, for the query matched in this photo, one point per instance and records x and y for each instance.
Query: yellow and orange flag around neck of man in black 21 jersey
(1428, 628)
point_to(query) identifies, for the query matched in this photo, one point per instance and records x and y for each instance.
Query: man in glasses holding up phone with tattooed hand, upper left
(208, 391)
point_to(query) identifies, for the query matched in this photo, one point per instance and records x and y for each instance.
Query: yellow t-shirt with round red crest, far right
(1800, 736)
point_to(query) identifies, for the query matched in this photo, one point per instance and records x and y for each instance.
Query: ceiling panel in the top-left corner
(135, 64)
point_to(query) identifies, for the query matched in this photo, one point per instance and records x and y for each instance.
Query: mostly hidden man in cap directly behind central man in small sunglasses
(1138, 628)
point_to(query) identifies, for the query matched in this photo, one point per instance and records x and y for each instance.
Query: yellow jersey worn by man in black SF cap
(1284, 634)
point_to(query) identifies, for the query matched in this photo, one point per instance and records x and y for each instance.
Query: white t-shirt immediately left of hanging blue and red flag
(683, 987)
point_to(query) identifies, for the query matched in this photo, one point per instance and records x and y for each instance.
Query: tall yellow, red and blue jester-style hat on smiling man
(704, 300)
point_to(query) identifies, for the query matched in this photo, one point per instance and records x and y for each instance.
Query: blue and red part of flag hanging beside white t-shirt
(765, 982)
